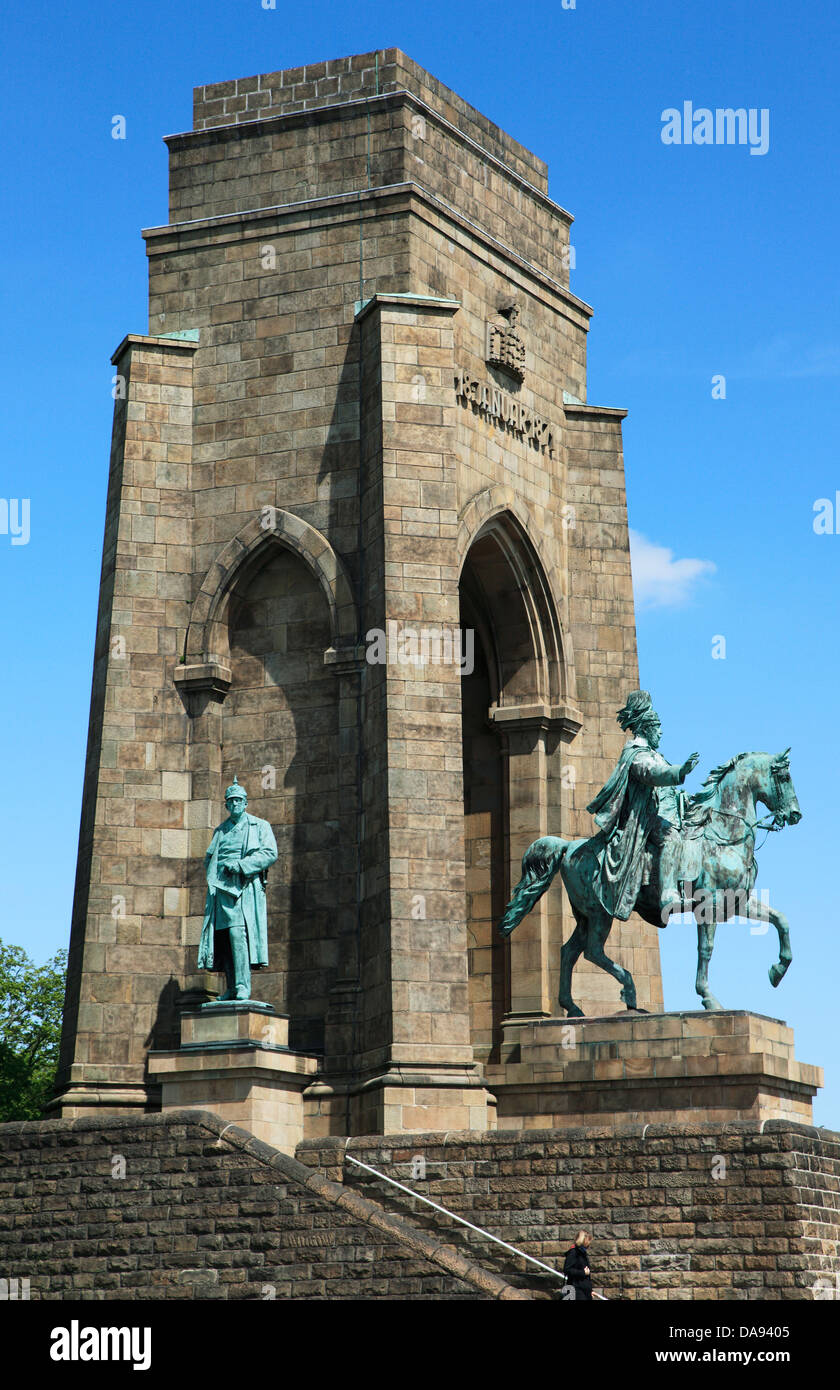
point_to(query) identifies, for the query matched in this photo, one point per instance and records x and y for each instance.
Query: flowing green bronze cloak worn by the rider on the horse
(627, 811)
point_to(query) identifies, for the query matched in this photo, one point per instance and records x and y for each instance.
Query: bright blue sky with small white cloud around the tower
(700, 262)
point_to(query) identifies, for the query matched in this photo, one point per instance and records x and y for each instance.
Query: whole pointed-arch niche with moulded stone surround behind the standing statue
(261, 683)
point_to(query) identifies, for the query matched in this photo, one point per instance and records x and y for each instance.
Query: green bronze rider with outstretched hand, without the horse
(638, 810)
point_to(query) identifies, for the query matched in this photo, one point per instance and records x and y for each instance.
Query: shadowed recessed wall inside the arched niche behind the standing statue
(280, 737)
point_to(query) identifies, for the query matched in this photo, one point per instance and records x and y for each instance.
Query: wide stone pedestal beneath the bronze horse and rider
(652, 1068)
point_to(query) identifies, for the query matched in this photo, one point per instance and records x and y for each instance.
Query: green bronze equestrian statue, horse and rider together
(657, 853)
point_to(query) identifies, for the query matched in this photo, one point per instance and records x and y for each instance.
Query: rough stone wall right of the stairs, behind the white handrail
(678, 1211)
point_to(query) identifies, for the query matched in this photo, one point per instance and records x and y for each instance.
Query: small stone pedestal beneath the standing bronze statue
(234, 1060)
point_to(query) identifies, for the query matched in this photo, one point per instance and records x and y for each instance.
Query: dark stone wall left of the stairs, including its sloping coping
(186, 1207)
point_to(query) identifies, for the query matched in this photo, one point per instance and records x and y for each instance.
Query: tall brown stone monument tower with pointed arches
(358, 426)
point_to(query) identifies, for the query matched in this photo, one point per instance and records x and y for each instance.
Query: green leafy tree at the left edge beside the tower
(31, 1000)
